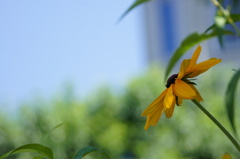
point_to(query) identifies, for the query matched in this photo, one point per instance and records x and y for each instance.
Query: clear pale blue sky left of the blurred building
(46, 44)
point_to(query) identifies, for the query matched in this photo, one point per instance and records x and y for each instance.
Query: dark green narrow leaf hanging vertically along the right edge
(229, 98)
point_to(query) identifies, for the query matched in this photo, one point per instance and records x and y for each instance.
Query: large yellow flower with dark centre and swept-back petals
(179, 87)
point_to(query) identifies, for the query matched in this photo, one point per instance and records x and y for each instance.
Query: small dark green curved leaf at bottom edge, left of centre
(83, 152)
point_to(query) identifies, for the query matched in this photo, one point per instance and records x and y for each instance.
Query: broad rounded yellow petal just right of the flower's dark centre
(183, 90)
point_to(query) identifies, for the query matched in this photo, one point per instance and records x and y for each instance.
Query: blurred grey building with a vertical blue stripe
(168, 22)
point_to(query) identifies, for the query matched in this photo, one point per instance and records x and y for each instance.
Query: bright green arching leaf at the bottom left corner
(40, 149)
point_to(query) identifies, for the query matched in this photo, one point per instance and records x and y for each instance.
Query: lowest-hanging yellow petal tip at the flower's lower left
(153, 118)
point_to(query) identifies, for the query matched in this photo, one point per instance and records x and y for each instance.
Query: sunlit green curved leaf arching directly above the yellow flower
(188, 43)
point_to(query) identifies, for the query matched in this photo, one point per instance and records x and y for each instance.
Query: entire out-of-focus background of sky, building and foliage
(75, 64)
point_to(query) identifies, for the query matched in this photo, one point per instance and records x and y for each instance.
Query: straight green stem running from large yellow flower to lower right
(230, 137)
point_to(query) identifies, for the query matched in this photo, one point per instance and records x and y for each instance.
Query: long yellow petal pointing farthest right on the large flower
(203, 67)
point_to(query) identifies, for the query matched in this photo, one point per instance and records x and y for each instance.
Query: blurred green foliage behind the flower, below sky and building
(112, 122)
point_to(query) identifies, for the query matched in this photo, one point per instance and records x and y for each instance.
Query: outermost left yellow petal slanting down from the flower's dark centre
(155, 104)
